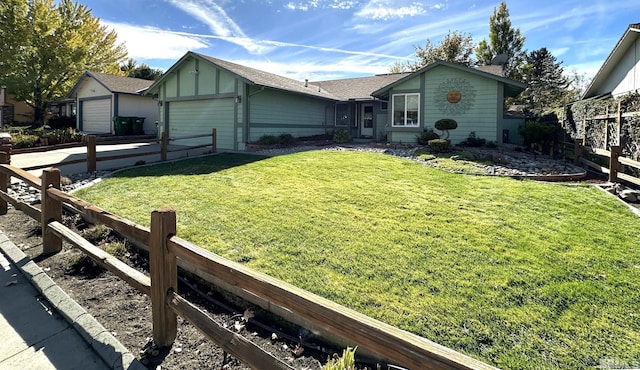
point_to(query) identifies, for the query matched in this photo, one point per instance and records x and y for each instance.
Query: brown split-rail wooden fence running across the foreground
(166, 250)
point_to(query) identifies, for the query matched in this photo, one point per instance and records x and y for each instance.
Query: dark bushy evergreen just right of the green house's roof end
(547, 86)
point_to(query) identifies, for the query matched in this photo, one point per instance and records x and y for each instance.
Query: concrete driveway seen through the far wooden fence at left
(59, 155)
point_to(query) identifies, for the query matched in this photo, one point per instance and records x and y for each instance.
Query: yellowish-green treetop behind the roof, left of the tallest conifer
(456, 47)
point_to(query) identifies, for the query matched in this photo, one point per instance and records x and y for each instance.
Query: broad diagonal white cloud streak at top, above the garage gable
(211, 14)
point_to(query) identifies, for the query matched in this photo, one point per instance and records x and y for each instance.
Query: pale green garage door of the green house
(188, 118)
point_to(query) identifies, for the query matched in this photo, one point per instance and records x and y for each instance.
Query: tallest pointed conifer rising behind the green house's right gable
(503, 40)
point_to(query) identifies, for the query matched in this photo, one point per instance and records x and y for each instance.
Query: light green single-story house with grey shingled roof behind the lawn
(199, 93)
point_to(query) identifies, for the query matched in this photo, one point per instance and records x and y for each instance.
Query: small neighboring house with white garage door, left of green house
(100, 97)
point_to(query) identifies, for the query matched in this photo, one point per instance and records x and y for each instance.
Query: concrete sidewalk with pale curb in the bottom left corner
(43, 328)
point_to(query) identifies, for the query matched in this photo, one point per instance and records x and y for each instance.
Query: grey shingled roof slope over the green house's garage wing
(261, 78)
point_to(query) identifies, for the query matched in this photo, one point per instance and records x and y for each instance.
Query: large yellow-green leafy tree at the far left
(47, 46)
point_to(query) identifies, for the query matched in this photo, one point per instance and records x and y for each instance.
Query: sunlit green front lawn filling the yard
(520, 274)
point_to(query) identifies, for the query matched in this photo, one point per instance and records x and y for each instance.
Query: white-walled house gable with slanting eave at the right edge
(620, 73)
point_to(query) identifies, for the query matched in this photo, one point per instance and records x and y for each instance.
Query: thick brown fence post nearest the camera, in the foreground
(164, 276)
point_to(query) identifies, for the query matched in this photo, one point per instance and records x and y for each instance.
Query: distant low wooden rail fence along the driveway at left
(92, 154)
